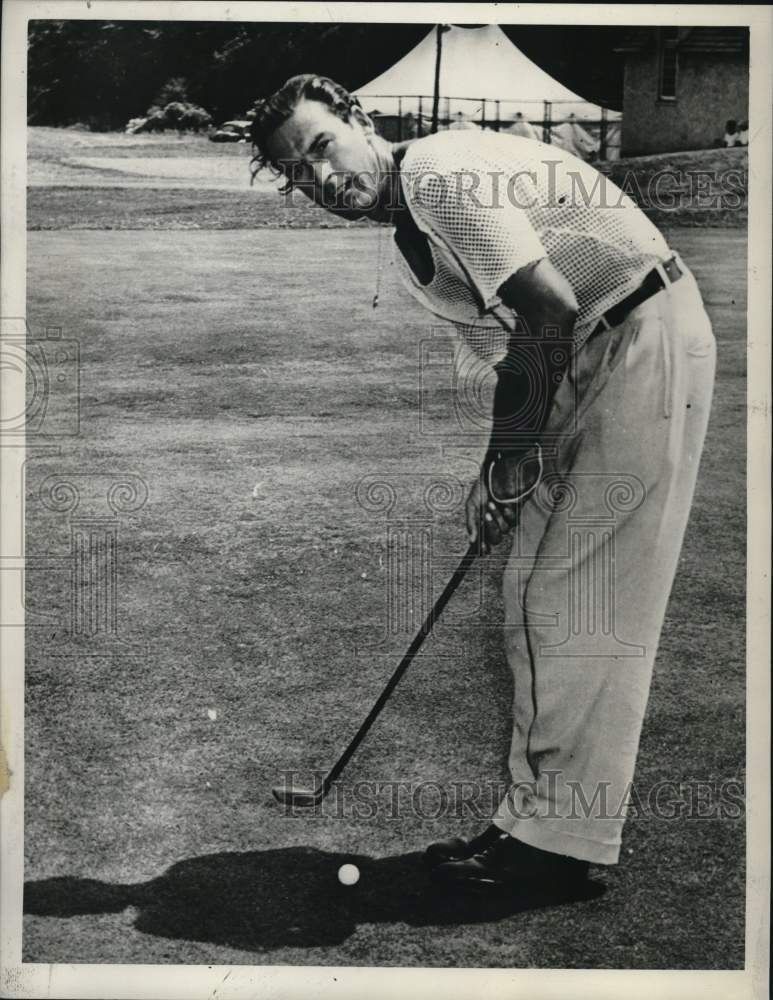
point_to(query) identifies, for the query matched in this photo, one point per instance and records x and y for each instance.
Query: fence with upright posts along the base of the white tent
(411, 116)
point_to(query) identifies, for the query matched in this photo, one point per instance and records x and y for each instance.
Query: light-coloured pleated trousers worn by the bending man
(592, 564)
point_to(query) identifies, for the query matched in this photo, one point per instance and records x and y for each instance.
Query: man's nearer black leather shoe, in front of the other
(510, 864)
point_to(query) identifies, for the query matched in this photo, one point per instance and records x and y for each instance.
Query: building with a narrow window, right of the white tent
(681, 85)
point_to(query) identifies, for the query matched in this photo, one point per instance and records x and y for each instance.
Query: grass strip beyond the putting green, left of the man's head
(86, 180)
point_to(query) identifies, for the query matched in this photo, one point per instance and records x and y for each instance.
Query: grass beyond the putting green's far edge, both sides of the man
(79, 180)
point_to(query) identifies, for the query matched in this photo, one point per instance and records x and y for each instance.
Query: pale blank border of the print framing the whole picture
(225, 982)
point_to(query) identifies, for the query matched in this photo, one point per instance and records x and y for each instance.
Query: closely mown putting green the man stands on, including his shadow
(245, 380)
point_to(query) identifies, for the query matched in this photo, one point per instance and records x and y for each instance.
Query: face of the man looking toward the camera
(332, 161)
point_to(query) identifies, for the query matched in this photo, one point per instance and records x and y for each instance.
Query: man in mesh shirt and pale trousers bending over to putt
(604, 358)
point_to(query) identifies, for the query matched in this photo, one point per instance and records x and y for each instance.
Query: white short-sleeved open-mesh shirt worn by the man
(491, 203)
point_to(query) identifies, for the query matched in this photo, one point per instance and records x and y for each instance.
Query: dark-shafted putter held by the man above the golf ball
(293, 795)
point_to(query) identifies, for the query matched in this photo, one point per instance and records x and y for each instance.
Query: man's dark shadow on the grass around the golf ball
(280, 898)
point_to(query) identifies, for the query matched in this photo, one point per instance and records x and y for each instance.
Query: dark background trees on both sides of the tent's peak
(102, 73)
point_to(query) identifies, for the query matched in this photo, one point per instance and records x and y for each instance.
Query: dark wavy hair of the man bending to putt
(269, 114)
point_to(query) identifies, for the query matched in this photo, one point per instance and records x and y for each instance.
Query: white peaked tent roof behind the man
(477, 65)
